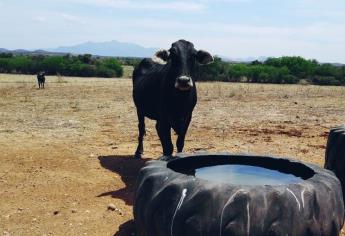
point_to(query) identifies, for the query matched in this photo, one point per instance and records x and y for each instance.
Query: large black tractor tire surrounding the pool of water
(168, 202)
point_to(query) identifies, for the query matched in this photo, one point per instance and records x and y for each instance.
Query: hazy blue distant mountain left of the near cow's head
(110, 48)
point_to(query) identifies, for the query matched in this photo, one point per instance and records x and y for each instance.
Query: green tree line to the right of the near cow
(282, 70)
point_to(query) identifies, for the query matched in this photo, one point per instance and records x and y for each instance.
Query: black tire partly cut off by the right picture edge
(335, 154)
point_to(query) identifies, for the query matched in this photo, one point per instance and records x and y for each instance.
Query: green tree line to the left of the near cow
(67, 65)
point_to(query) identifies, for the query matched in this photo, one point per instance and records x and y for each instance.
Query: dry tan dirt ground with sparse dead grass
(66, 151)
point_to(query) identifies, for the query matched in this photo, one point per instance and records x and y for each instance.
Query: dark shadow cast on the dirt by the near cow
(127, 167)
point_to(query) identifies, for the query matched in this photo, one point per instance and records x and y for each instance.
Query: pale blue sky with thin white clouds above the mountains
(232, 28)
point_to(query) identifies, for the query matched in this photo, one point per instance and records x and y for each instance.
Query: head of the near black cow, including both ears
(183, 57)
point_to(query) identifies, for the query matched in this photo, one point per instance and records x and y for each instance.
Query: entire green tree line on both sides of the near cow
(282, 70)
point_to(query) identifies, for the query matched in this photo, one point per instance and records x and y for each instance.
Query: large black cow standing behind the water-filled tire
(164, 90)
